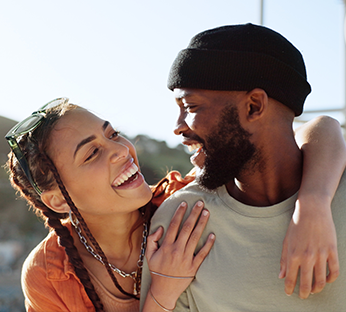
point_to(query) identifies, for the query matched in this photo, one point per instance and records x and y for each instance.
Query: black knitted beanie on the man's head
(241, 58)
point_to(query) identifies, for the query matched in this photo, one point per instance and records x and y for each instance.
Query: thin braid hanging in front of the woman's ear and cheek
(80, 218)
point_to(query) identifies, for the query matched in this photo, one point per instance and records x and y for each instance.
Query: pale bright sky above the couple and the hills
(113, 57)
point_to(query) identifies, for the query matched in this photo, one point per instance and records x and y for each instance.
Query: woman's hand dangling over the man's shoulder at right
(310, 244)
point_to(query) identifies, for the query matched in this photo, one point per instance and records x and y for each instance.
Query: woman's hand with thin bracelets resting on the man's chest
(174, 265)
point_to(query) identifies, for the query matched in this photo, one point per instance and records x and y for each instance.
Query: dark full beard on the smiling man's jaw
(228, 149)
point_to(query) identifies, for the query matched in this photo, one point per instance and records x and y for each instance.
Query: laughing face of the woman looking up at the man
(98, 167)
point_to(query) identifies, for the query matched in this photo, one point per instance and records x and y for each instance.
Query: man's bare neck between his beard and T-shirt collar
(272, 179)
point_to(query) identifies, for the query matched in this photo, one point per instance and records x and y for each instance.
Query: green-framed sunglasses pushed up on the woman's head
(28, 125)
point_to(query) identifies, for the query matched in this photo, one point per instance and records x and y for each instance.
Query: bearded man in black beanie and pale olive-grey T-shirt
(239, 89)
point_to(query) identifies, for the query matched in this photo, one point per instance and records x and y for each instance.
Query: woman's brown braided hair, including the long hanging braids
(46, 176)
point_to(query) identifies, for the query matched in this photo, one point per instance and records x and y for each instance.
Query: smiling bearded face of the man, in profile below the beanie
(209, 121)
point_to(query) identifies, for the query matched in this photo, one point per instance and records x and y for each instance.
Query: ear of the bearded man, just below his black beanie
(257, 104)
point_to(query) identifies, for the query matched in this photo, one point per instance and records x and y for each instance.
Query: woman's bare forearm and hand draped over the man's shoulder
(310, 241)
